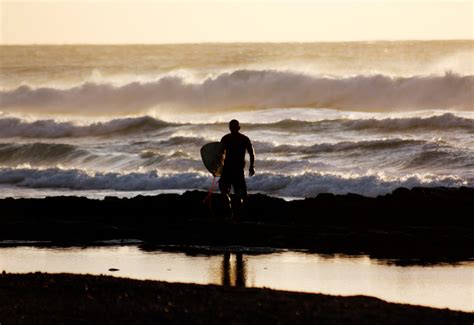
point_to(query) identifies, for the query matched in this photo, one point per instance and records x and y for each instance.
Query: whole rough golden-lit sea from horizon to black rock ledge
(357, 117)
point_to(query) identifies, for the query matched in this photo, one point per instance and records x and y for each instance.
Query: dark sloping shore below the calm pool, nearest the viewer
(76, 299)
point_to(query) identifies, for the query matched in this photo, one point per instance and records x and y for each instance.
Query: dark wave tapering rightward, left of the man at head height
(15, 127)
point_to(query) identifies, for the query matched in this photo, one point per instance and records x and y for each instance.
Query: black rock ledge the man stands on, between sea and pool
(429, 224)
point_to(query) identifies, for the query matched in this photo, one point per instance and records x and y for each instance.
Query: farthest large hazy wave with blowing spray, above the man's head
(251, 89)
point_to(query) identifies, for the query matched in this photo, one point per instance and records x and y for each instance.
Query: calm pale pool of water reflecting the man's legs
(441, 286)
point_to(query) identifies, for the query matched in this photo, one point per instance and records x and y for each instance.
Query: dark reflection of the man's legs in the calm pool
(233, 274)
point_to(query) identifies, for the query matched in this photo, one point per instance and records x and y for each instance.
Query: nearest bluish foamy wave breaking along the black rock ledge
(305, 185)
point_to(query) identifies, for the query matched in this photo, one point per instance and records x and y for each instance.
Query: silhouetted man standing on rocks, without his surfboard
(235, 145)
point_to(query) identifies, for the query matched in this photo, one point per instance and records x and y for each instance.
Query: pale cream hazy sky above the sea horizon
(184, 21)
